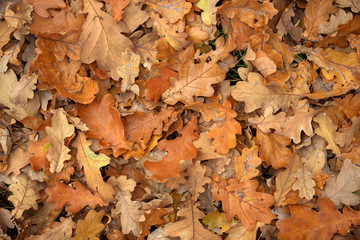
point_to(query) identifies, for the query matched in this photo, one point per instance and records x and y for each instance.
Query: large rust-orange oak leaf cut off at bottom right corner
(305, 223)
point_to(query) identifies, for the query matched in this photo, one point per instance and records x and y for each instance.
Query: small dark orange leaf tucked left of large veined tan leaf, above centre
(154, 87)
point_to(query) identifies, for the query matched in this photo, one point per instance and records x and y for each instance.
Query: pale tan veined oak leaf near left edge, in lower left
(25, 192)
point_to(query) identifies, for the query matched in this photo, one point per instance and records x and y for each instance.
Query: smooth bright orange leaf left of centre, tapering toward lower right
(104, 123)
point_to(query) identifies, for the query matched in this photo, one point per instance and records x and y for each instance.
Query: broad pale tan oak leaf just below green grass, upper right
(256, 95)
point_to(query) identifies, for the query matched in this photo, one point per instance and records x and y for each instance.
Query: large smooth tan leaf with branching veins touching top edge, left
(101, 38)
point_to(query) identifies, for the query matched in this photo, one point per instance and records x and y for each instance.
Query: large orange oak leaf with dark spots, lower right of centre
(241, 199)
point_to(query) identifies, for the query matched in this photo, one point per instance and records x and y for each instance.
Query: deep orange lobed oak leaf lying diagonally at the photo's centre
(179, 149)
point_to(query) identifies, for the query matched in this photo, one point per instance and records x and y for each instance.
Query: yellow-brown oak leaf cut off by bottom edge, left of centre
(90, 227)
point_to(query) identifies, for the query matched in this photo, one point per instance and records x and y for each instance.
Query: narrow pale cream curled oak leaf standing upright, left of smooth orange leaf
(60, 130)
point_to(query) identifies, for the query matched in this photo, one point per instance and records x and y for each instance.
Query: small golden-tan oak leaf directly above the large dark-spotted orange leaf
(245, 165)
